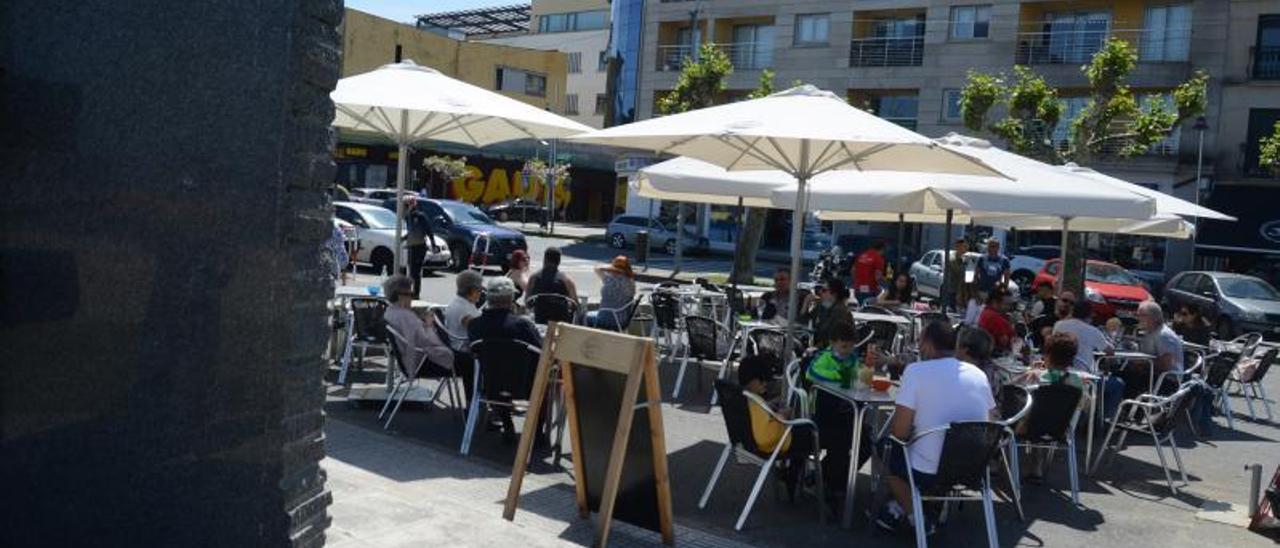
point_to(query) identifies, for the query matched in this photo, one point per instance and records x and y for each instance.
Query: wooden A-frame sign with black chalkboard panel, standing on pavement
(602, 373)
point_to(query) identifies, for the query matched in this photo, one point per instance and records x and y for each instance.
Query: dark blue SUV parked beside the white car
(461, 226)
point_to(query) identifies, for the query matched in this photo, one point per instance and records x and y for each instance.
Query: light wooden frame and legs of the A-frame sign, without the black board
(574, 346)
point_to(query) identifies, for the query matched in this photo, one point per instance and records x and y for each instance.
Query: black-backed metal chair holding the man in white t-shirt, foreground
(963, 467)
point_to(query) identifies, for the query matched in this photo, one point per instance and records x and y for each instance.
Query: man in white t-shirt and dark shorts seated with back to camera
(935, 392)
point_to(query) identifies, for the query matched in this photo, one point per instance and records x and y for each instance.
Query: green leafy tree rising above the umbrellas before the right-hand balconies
(1113, 124)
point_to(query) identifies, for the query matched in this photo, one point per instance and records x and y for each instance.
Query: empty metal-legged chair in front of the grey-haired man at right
(1154, 415)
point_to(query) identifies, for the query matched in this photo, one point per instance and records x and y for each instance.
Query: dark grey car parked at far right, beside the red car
(1235, 304)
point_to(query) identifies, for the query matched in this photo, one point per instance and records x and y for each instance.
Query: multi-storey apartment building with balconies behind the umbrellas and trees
(908, 60)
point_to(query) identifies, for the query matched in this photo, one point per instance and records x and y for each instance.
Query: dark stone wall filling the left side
(164, 168)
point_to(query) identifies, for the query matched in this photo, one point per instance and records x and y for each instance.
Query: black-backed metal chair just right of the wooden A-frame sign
(735, 408)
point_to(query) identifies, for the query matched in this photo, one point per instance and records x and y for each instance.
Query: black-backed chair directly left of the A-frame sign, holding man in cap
(504, 376)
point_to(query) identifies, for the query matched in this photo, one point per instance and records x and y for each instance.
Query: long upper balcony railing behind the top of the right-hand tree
(1078, 47)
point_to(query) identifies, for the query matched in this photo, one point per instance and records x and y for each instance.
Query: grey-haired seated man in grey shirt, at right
(1159, 340)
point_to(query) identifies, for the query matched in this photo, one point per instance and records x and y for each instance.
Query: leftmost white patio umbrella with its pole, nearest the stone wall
(408, 104)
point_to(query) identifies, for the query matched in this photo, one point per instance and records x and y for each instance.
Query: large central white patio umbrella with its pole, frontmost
(803, 133)
